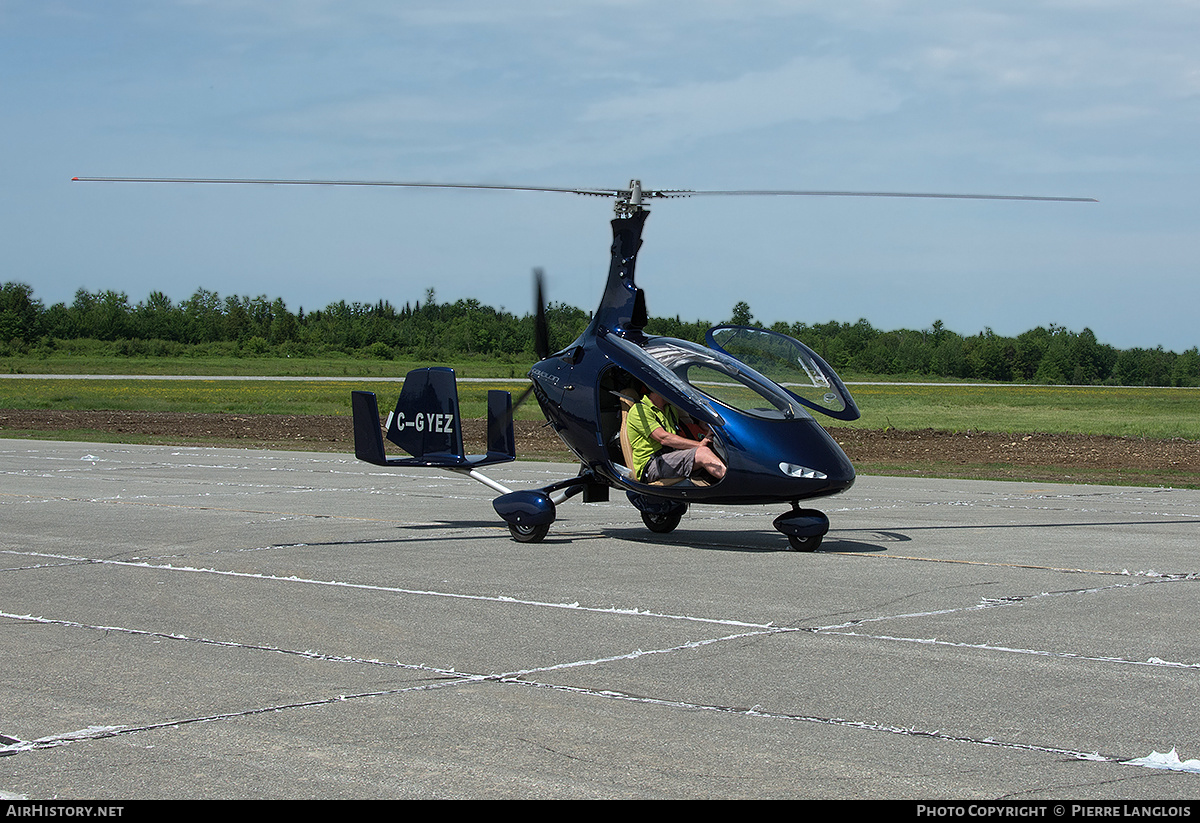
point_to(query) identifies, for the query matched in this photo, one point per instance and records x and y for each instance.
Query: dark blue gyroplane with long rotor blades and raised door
(751, 393)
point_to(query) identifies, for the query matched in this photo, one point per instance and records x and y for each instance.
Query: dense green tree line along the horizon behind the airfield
(431, 332)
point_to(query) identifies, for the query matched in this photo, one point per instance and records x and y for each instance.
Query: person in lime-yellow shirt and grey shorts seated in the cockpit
(659, 450)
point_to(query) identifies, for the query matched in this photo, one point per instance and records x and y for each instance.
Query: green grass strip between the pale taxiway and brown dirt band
(1153, 413)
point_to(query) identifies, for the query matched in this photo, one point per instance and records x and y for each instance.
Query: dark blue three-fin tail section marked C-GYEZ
(428, 424)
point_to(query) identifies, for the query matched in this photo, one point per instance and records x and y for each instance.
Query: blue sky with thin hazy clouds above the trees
(1061, 98)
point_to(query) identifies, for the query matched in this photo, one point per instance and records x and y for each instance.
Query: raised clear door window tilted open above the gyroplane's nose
(789, 363)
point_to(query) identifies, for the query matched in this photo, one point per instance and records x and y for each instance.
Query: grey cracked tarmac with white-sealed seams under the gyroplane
(217, 623)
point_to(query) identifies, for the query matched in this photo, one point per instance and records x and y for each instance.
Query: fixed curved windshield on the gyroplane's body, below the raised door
(724, 380)
